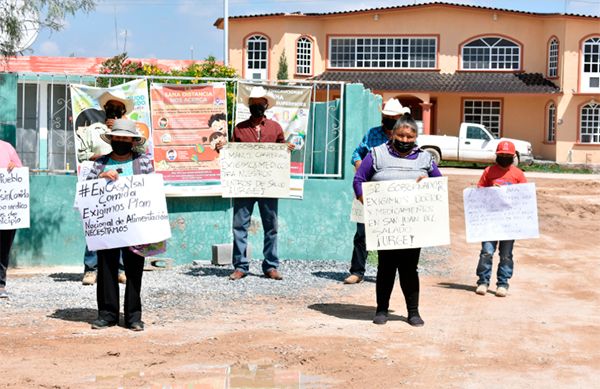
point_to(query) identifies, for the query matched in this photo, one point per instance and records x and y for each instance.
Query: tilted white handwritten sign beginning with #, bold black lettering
(129, 211)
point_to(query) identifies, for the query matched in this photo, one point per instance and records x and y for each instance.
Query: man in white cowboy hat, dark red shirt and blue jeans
(257, 129)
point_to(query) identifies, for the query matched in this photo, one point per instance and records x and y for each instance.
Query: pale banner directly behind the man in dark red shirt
(291, 112)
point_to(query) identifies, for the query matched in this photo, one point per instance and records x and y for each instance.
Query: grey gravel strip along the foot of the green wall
(188, 291)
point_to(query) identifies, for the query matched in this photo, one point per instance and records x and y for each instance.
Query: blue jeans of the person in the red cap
(505, 266)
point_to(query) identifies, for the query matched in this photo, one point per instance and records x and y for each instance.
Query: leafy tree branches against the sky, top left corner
(17, 15)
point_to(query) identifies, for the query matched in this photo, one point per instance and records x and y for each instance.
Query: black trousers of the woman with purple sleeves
(405, 262)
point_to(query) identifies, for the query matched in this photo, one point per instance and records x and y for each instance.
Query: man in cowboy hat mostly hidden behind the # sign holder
(115, 106)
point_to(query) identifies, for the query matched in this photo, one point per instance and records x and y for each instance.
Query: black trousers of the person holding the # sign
(107, 291)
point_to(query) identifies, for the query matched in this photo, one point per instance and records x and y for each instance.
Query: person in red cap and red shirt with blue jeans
(503, 172)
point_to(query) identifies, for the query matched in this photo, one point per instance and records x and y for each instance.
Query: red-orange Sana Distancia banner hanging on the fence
(188, 121)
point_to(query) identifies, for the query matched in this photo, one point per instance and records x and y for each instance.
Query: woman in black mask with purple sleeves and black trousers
(398, 159)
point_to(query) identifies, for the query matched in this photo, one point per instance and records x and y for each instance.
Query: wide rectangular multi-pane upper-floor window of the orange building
(383, 52)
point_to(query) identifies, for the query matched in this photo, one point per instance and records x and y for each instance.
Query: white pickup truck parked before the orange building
(474, 144)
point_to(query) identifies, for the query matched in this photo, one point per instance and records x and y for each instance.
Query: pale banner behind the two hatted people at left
(89, 116)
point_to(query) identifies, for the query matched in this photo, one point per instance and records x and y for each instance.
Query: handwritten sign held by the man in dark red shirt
(255, 170)
